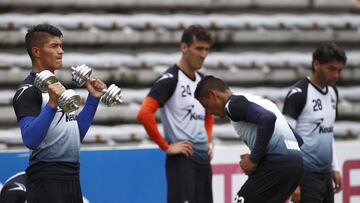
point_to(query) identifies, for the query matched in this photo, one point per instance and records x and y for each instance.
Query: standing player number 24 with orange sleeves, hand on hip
(187, 126)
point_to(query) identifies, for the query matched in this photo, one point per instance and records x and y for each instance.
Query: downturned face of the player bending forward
(213, 104)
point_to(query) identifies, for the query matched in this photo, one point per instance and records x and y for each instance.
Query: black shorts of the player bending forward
(269, 185)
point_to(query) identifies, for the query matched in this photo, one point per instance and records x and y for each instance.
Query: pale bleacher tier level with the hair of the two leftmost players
(95, 29)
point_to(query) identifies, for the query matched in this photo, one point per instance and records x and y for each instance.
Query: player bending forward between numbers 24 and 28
(274, 165)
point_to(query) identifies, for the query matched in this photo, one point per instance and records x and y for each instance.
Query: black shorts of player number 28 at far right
(317, 187)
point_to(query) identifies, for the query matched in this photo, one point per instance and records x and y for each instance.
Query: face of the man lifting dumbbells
(50, 53)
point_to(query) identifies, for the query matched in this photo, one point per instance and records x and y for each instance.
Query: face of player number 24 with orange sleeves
(196, 53)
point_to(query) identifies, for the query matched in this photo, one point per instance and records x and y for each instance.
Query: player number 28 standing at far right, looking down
(311, 109)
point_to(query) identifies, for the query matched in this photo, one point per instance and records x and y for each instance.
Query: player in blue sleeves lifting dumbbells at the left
(52, 135)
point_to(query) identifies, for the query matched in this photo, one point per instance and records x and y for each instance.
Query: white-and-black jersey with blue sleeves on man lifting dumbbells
(52, 135)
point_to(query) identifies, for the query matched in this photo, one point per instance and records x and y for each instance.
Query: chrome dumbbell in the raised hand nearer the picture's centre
(112, 95)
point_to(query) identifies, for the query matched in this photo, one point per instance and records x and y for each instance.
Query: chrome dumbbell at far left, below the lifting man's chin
(69, 101)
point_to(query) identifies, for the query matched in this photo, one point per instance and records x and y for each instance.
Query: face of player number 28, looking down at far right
(329, 73)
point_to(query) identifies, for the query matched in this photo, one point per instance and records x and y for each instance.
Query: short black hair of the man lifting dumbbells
(36, 35)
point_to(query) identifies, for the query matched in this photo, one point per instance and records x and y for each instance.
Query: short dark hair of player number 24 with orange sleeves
(197, 31)
